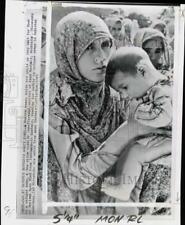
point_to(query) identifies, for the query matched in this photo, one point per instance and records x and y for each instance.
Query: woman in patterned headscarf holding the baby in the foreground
(83, 113)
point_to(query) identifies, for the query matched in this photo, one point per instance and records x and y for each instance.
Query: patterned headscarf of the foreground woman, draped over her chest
(88, 105)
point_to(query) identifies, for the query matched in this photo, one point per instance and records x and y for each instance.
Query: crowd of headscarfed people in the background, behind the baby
(157, 39)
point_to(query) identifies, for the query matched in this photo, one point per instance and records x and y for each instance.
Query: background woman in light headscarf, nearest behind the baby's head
(156, 46)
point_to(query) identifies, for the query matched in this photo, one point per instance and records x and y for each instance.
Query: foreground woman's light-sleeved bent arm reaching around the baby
(80, 172)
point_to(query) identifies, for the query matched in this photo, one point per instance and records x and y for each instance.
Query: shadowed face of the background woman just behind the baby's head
(154, 49)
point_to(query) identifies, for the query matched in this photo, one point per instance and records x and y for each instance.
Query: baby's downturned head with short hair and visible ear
(130, 72)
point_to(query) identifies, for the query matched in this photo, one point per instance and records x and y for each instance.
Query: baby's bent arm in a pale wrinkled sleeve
(157, 112)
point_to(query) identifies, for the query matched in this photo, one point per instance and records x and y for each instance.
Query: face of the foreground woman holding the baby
(93, 62)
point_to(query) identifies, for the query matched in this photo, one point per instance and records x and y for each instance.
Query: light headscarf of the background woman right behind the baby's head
(146, 34)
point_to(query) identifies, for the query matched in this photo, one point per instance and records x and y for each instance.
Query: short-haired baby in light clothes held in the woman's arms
(131, 72)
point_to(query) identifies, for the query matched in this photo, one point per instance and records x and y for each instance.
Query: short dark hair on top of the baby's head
(125, 59)
